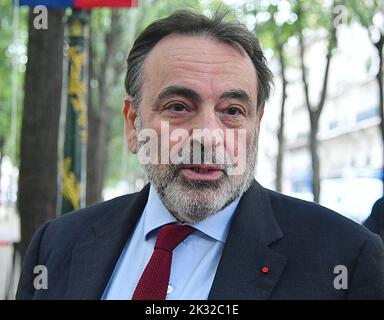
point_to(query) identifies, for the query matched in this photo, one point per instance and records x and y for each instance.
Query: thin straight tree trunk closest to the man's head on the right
(280, 133)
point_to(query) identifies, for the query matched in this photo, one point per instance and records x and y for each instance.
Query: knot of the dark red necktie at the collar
(171, 235)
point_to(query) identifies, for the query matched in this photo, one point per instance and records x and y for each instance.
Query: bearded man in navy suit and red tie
(201, 229)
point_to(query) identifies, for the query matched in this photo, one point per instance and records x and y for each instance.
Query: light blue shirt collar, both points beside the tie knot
(215, 226)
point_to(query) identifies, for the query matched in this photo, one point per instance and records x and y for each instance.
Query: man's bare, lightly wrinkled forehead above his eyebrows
(201, 63)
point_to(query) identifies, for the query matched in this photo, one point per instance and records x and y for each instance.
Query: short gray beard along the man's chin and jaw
(194, 201)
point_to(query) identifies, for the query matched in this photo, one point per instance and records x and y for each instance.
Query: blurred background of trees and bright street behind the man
(62, 89)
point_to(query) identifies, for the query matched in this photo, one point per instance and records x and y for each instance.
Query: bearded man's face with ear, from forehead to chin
(194, 83)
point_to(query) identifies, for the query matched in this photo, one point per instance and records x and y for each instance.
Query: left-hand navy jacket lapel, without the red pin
(94, 258)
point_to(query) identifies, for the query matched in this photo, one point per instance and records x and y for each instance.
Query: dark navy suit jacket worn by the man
(300, 242)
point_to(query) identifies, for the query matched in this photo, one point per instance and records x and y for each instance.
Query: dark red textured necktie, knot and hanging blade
(153, 282)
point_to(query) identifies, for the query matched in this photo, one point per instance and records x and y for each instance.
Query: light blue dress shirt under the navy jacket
(194, 261)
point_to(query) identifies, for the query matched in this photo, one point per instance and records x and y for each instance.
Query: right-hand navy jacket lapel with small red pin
(247, 250)
